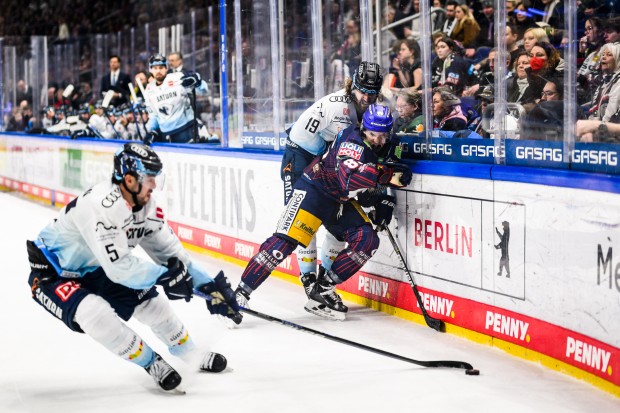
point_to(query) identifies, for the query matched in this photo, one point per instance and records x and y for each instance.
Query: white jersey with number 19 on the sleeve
(322, 122)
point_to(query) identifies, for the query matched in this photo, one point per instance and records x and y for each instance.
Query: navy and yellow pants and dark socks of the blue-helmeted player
(306, 211)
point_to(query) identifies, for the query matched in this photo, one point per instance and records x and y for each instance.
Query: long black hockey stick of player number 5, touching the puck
(430, 363)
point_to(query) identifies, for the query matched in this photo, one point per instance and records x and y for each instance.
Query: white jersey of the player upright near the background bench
(169, 104)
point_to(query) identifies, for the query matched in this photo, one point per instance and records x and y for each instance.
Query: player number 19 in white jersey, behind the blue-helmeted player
(309, 137)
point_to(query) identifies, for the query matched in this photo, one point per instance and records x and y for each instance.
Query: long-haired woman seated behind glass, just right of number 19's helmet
(406, 68)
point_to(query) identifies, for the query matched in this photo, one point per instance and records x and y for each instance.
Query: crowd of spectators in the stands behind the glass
(463, 59)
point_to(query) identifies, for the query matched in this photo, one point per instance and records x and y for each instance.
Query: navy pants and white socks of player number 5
(97, 306)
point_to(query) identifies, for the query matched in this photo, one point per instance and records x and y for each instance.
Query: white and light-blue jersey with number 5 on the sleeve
(100, 229)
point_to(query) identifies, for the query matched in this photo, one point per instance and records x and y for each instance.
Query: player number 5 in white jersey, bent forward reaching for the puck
(84, 273)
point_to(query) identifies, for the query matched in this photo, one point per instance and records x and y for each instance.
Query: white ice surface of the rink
(44, 367)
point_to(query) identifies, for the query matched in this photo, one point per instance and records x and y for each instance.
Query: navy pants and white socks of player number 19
(294, 161)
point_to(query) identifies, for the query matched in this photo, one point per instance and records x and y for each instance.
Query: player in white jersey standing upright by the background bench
(168, 99)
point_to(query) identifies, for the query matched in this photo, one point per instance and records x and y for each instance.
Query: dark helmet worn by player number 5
(136, 159)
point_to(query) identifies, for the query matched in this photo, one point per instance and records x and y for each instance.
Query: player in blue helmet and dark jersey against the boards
(323, 196)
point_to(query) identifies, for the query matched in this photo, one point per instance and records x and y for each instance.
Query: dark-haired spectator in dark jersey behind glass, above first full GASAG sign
(449, 68)
